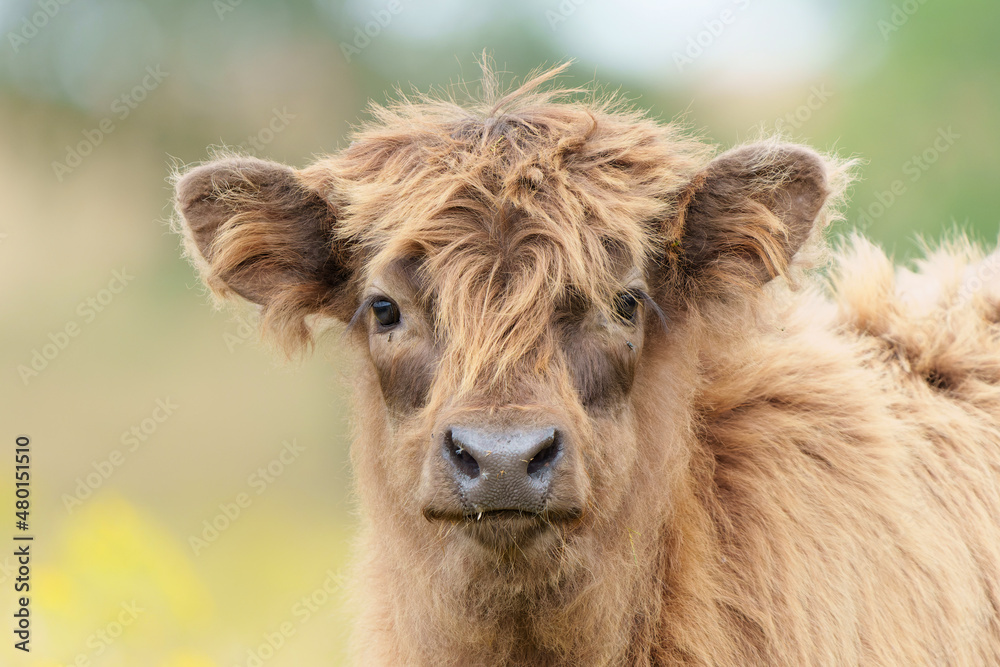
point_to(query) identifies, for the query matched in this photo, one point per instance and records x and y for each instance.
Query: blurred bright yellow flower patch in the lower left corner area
(118, 581)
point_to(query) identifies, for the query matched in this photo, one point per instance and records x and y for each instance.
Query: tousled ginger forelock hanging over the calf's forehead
(506, 202)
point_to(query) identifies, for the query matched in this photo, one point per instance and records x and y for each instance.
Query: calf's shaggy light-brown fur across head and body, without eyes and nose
(765, 467)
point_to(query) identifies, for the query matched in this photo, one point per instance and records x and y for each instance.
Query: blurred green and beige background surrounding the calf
(150, 413)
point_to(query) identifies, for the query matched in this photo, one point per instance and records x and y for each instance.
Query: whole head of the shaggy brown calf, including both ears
(525, 285)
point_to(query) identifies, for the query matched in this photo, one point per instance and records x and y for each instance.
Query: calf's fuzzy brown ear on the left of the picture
(257, 229)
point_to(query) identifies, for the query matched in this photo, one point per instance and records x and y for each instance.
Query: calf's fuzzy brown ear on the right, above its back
(742, 219)
